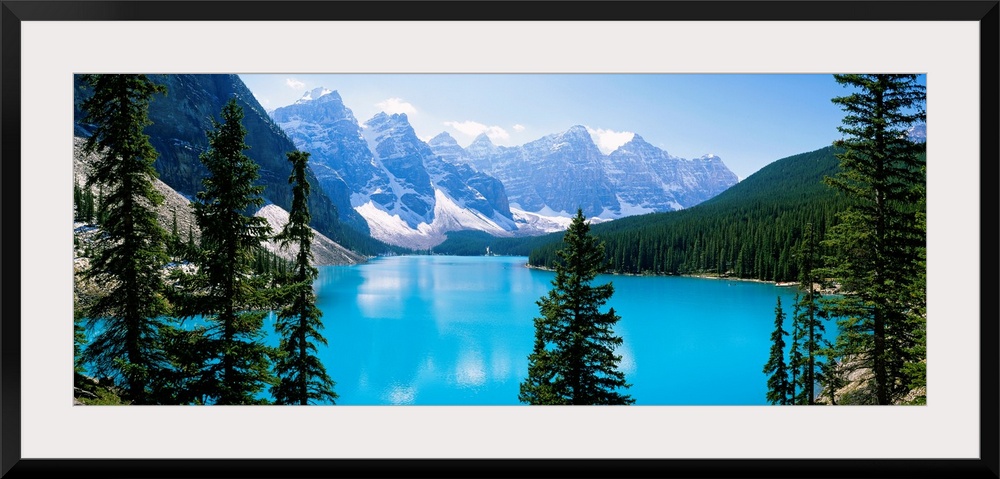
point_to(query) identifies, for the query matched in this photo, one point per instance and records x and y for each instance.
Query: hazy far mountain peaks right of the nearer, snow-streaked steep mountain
(556, 174)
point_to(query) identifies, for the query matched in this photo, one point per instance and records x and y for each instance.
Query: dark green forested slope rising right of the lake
(748, 231)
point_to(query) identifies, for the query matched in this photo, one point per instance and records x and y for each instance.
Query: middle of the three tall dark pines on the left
(235, 301)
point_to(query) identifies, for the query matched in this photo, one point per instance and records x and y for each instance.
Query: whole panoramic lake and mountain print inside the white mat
(499, 239)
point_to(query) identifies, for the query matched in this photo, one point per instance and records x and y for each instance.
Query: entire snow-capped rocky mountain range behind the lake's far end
(411, 193)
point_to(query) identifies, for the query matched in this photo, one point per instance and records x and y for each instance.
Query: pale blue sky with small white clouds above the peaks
(748, 120)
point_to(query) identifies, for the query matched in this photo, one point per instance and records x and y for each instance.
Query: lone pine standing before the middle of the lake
(573, 359)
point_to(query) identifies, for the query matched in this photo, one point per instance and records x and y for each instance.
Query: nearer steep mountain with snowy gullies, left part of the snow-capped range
(408, 195)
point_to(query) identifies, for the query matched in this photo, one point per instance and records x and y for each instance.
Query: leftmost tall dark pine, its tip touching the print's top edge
(128, 318)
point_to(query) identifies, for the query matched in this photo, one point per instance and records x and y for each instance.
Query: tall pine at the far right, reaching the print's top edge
(877, 244)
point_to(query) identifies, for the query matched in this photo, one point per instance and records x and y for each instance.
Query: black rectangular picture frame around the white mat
(12, 13)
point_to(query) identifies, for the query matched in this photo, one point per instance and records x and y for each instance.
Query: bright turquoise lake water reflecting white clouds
(448, 330)
